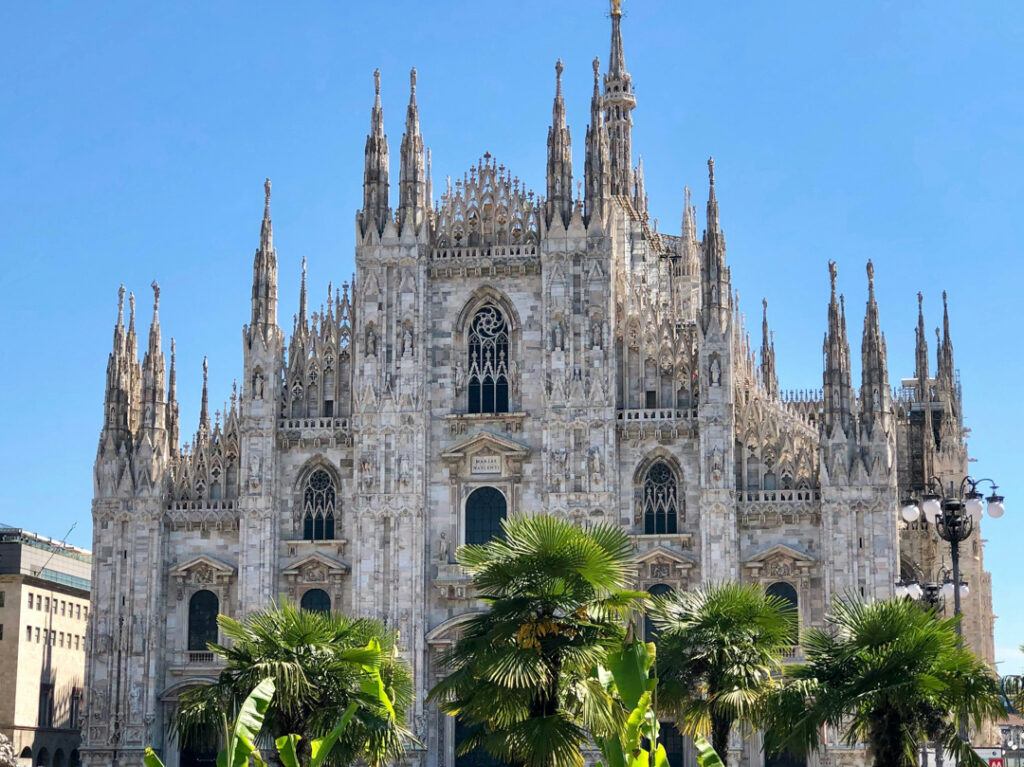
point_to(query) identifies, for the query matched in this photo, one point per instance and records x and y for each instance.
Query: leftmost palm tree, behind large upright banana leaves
(320, 663)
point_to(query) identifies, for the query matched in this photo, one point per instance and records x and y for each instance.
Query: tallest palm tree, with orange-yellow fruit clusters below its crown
(524, 673)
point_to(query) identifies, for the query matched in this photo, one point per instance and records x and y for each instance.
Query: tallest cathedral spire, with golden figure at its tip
(619, 105)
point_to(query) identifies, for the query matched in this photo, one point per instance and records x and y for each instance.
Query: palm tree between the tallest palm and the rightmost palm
(718, 648)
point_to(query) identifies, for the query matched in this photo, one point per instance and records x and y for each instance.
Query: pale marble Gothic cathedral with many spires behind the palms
(500, 353)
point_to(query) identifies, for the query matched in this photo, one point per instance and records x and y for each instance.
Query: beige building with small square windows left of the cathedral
(45, 615)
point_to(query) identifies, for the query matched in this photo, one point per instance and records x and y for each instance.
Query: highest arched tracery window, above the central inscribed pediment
(488, 381)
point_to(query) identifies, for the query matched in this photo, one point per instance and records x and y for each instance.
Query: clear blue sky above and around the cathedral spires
(136, 139)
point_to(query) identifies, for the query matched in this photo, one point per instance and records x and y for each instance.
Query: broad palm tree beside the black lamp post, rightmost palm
(887, 673)
